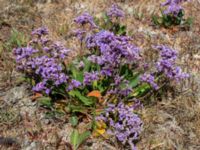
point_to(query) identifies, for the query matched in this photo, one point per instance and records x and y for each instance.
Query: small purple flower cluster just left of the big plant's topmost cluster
(85, 18)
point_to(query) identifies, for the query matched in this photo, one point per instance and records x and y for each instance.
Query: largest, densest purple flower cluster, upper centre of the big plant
(114, 50)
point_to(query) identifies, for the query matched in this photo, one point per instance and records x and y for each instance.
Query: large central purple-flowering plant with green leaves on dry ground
(110, 74)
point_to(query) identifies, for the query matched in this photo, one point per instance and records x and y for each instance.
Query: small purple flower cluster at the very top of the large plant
(115, 11)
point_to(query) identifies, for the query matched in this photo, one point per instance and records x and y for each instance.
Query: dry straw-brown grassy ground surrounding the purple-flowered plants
(172, 123)
